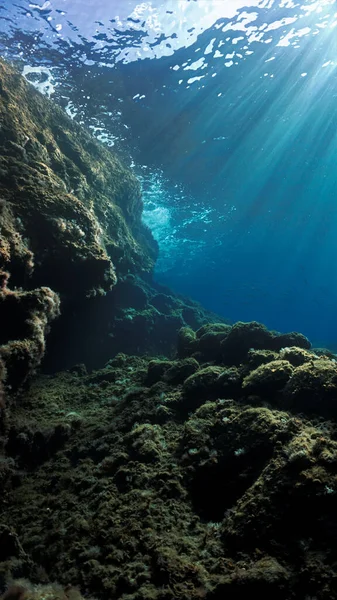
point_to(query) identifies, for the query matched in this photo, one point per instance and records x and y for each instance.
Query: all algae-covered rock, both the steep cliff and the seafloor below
(148, 449)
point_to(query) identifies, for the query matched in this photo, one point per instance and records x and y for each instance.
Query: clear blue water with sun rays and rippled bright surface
(227, 111)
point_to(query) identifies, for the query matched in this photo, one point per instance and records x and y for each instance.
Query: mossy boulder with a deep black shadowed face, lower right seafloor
(226, 443)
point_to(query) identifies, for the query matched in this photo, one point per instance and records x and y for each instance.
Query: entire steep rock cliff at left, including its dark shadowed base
(74, 245)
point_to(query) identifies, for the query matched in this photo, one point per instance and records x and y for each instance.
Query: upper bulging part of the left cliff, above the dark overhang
(70, 212)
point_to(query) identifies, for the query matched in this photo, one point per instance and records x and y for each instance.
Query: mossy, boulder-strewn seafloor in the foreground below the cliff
(187, 478)
